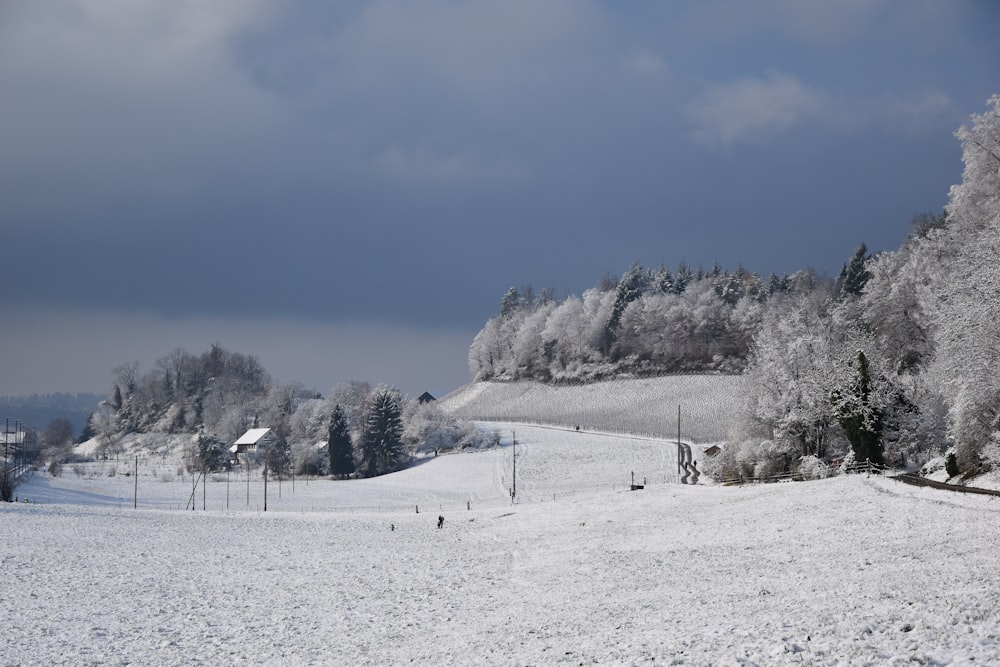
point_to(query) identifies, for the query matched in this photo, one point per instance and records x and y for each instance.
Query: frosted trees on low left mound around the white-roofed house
(218, 395)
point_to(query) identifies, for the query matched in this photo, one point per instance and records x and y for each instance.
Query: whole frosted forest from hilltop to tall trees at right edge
(895, 360)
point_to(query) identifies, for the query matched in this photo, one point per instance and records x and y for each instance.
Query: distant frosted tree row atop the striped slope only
(650, 322)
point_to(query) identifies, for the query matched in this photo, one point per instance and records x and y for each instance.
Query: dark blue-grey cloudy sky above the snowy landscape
(346, 188)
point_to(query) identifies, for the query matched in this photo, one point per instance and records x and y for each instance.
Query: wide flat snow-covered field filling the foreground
(845, 571)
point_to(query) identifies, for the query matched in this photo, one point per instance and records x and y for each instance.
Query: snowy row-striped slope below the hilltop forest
(648, 406)
